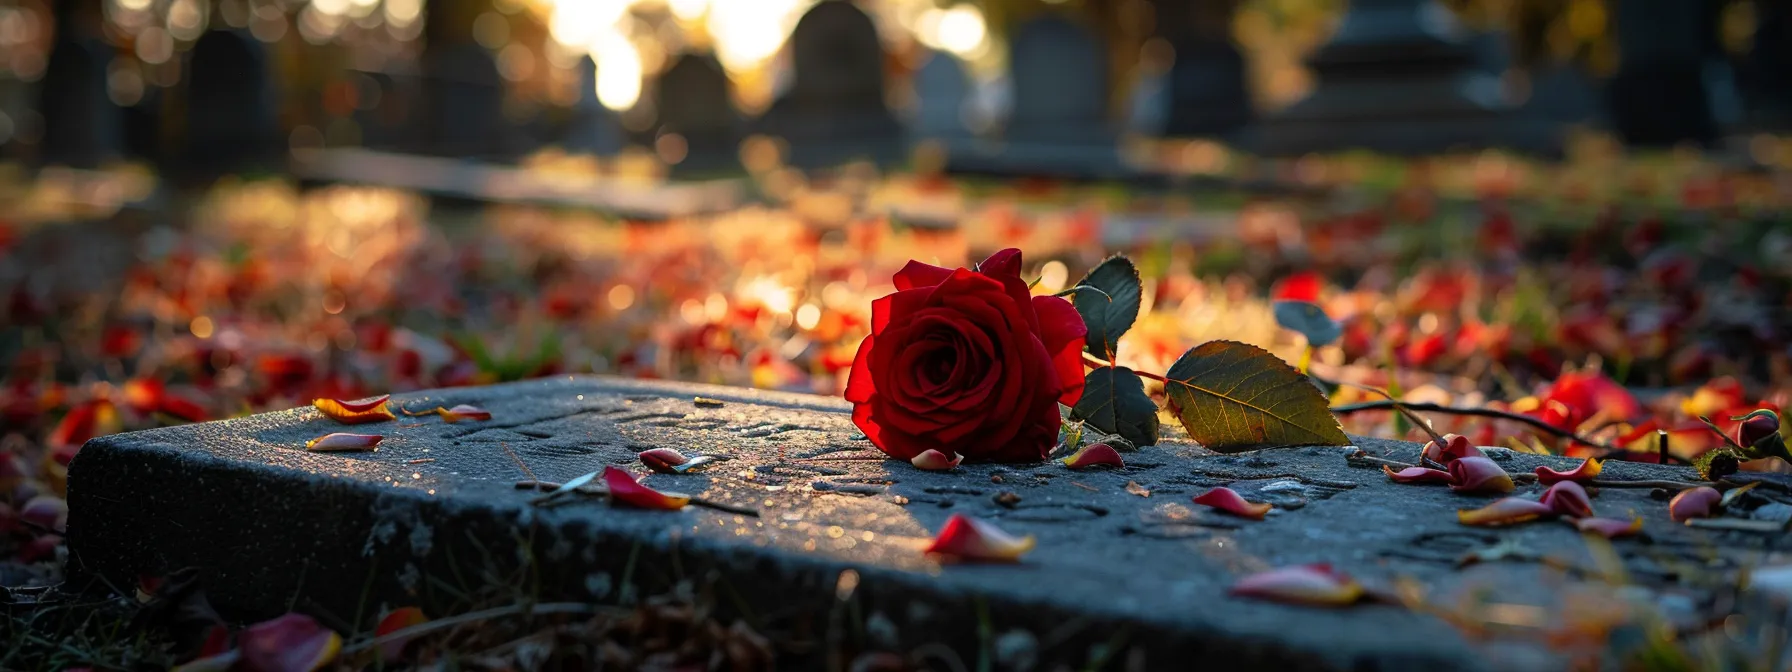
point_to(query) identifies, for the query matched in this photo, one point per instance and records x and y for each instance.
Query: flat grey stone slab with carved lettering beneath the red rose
(436, 508)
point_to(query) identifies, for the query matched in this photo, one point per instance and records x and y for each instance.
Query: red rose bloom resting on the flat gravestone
(967, 363)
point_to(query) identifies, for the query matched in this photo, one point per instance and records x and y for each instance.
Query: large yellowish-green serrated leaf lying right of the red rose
(1236, 397)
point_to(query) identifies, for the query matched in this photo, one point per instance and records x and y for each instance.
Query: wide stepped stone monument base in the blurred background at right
(1399, 78)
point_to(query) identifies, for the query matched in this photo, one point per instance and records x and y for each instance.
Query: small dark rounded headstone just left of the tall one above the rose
(693, 103)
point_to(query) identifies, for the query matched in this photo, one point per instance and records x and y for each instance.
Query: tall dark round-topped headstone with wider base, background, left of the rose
(834, 110)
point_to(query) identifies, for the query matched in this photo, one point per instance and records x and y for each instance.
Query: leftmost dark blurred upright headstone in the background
(82, 126)
